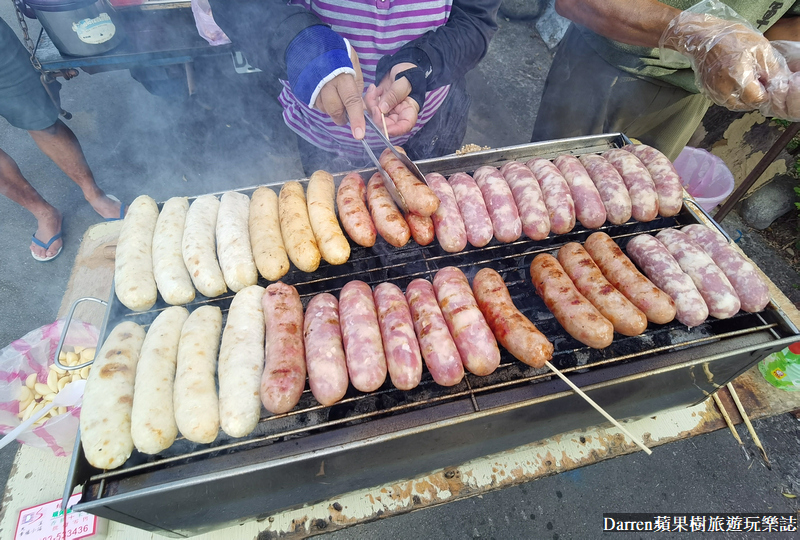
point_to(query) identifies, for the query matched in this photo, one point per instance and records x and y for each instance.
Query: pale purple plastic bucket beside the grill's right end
(704, 176)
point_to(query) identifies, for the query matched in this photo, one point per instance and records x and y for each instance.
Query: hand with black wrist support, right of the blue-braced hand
(391, 99)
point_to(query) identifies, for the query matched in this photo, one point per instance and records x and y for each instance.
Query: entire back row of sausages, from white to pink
(215, 245)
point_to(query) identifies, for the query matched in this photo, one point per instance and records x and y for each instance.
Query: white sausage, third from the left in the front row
(195, 392)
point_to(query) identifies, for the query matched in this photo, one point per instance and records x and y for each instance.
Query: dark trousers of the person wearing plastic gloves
(585, 95)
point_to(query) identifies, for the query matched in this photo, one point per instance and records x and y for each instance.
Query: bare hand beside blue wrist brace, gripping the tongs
(340, 99)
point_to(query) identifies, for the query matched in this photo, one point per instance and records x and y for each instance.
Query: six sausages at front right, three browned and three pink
(595, 289)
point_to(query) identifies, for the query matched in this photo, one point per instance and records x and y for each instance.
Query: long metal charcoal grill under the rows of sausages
(314, 453)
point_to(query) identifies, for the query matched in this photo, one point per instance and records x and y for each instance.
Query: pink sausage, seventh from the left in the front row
(361, 335)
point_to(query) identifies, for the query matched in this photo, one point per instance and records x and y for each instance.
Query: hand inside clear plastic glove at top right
(734, 64)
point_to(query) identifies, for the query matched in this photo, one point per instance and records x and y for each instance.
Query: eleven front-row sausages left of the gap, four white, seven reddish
(145, 387)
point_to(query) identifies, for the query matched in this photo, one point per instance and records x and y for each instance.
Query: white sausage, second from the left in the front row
(153, 426)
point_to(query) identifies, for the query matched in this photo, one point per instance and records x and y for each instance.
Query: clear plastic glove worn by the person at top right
(735, 65)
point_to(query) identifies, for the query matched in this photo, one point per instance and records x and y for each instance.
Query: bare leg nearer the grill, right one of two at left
(59, 143)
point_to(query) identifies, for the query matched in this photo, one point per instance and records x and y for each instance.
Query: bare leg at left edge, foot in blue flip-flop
(14, 186)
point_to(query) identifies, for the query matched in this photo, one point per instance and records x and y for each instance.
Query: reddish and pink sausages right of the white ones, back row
(535, 198)
